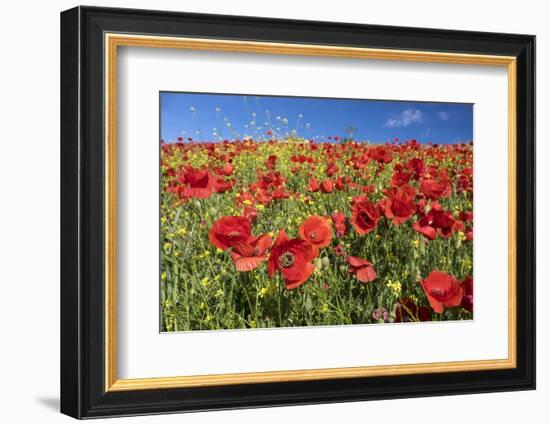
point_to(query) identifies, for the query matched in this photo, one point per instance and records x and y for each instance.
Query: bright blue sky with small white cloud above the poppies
(215, 116)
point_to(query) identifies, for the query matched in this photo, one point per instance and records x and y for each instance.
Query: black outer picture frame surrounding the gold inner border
(82, 212)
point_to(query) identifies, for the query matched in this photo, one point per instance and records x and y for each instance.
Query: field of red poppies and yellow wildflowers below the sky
(282, 233)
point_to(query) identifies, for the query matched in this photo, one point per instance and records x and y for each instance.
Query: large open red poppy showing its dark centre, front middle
(292, 257)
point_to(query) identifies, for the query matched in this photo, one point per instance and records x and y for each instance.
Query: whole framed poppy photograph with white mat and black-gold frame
(261, 212)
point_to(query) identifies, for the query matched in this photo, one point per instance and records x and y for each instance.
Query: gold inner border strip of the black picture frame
(113, 41)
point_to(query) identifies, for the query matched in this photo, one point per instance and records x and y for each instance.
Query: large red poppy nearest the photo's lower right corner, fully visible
(442, 290)
